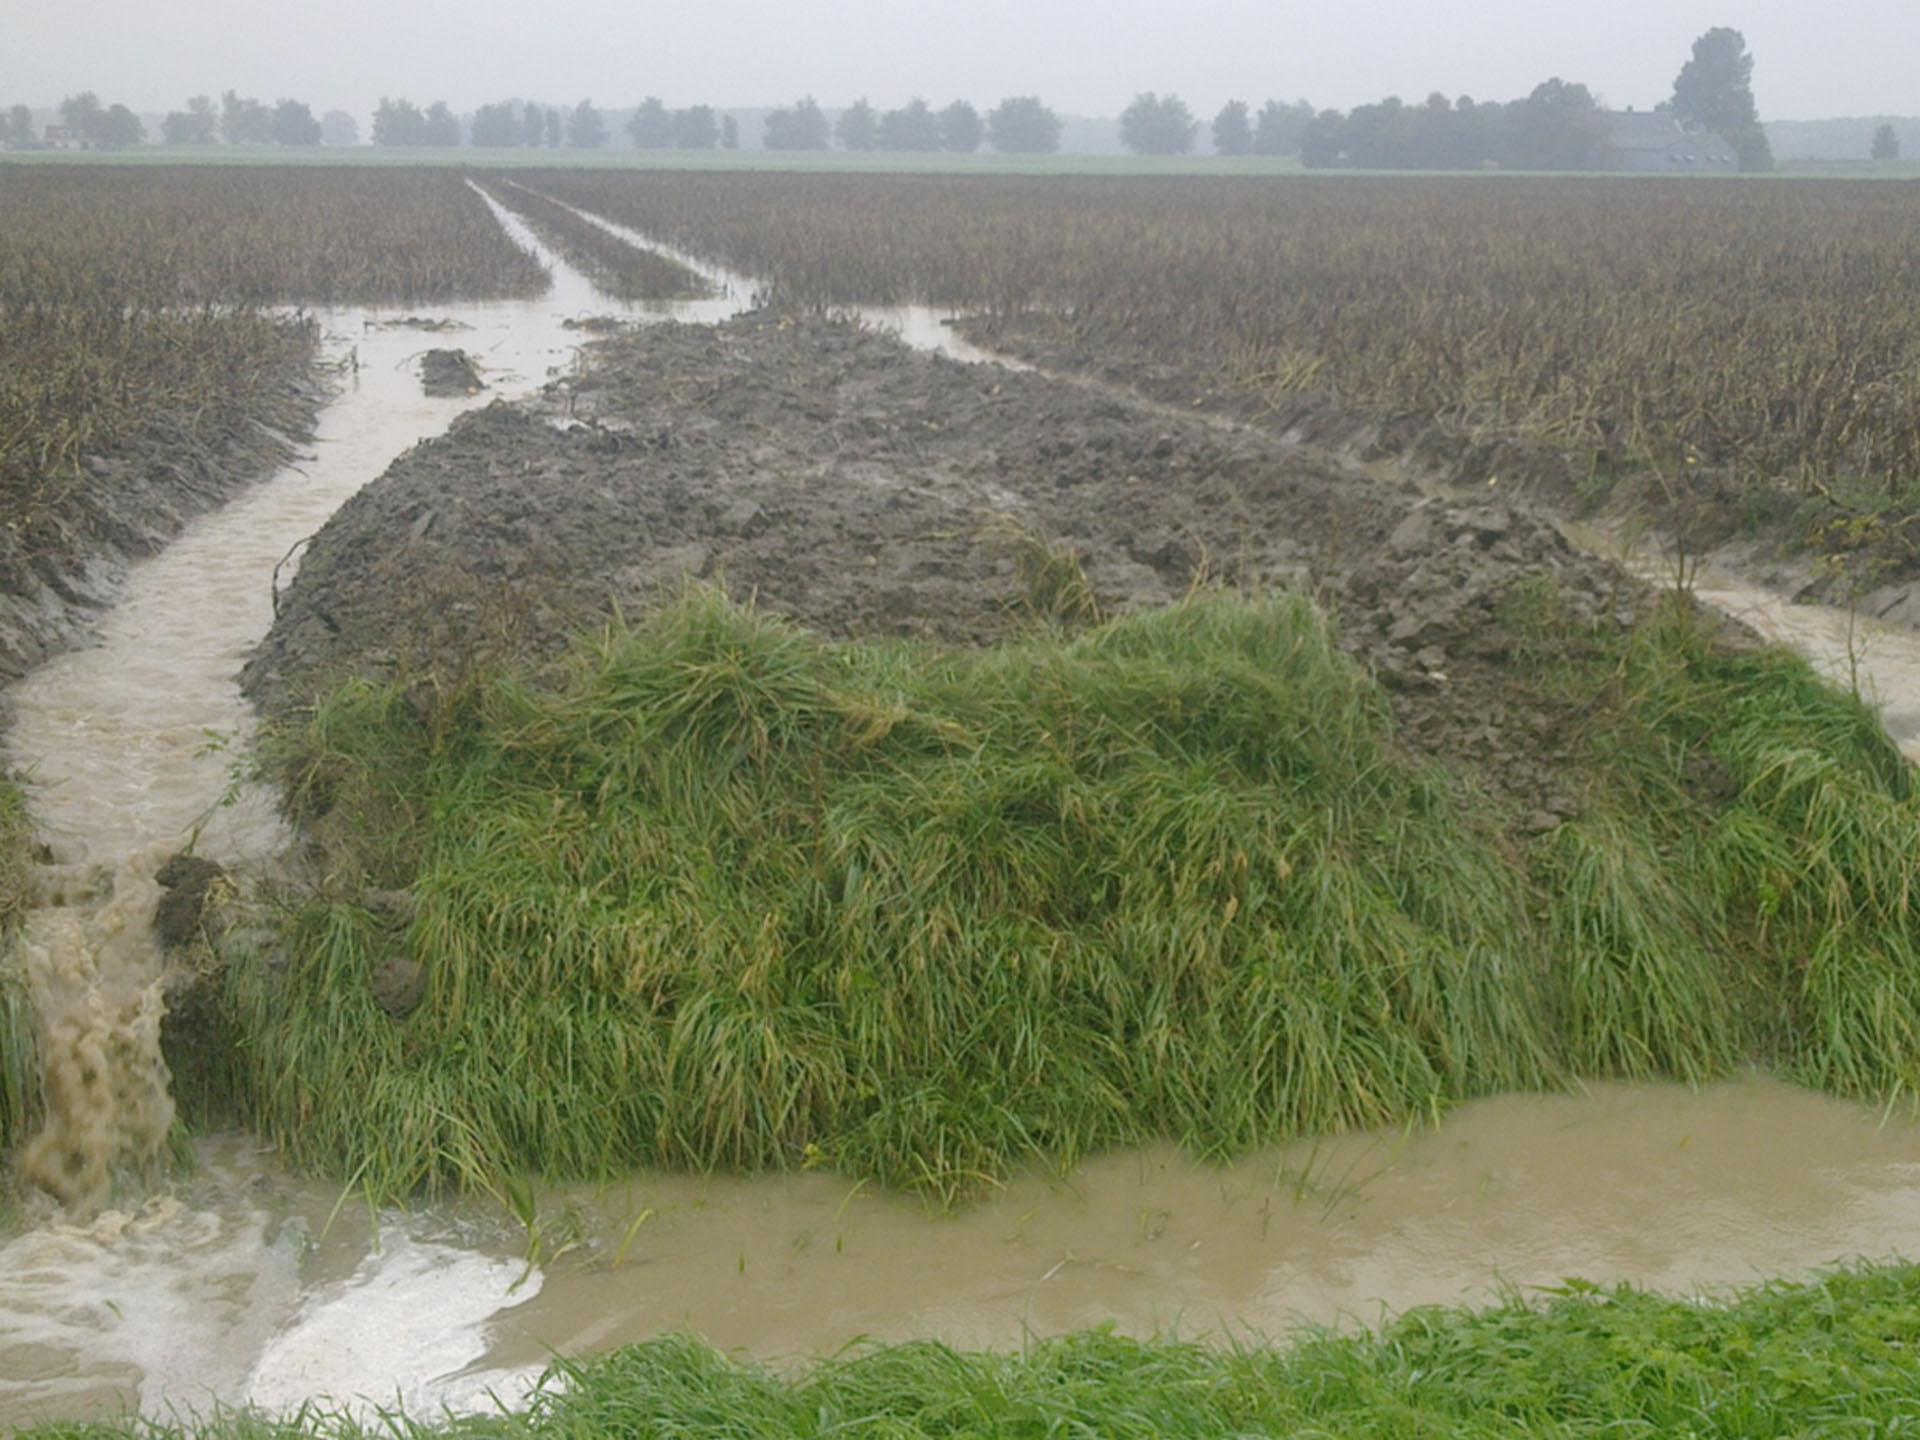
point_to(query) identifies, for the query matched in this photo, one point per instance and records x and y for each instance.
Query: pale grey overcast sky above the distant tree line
(1082, 57)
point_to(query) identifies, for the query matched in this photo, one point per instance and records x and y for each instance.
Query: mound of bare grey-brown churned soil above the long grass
(869, 491)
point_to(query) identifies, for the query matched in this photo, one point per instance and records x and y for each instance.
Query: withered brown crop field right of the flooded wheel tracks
(1771, 331)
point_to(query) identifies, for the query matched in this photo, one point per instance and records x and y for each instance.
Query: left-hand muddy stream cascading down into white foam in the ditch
(132, 754)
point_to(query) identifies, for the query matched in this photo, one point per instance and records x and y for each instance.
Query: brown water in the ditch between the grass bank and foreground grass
(222, 1295)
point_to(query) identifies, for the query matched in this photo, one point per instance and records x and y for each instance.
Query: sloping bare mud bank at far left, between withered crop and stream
(70, 537)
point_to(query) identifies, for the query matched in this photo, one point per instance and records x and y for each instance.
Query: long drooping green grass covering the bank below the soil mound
(731, 896)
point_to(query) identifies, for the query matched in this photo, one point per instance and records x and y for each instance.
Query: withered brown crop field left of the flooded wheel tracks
(132, 297)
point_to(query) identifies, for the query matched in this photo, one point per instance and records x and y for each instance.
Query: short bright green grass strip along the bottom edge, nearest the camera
(1838, 1356)
